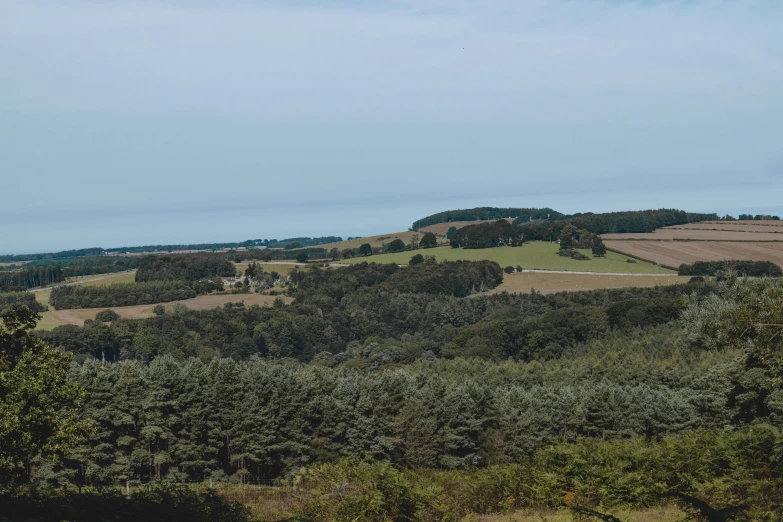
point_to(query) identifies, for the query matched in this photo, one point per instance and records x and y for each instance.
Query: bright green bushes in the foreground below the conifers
(591, 476)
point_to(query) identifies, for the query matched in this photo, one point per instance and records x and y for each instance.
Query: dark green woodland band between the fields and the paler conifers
(420, 306)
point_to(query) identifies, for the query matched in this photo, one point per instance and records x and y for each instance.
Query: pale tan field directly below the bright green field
(551, 283)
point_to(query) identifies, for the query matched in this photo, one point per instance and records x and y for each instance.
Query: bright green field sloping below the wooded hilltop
(539, 255)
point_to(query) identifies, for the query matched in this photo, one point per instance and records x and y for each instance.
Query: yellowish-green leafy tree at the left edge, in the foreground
(39, 413)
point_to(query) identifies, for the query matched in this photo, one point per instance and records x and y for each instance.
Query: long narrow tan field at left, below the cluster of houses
(77, 316)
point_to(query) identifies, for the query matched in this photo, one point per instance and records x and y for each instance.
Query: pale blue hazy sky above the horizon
(127, 122)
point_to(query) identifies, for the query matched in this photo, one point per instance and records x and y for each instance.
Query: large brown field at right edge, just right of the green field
(675, 253)
